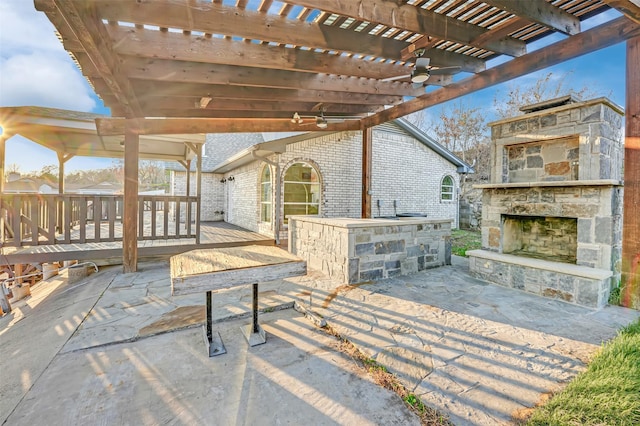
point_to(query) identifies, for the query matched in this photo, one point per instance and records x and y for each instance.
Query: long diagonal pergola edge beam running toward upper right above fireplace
(594, 39)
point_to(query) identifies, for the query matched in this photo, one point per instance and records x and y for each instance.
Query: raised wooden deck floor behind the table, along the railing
(212, 235)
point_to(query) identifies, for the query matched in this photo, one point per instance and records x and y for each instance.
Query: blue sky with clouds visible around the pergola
(36, 70)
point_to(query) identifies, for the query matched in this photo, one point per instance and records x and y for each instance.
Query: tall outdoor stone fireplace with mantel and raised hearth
(552, 214)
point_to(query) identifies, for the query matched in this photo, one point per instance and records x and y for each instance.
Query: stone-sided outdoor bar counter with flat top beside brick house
(353, 251)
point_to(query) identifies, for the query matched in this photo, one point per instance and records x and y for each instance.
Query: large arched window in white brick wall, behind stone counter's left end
(301, 191)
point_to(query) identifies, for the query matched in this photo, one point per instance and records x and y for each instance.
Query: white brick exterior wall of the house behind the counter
(403, 170)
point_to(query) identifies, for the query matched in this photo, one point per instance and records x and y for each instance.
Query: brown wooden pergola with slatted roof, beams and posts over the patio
(206, 66)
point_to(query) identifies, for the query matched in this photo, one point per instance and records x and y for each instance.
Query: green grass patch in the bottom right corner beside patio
(607, 393)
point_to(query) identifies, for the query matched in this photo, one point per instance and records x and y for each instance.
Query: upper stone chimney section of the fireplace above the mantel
(595, 124)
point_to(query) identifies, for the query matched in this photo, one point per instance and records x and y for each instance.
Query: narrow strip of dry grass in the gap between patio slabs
(379, 373)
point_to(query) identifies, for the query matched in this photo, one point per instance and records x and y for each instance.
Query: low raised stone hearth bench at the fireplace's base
(575, 284)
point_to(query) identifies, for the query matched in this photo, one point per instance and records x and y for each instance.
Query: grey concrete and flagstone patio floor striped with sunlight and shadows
(119, 349)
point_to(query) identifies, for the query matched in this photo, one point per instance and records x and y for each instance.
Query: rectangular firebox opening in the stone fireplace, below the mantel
(548, 238)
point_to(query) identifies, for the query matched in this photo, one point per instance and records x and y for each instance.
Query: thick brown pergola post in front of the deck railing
(130, 213)
